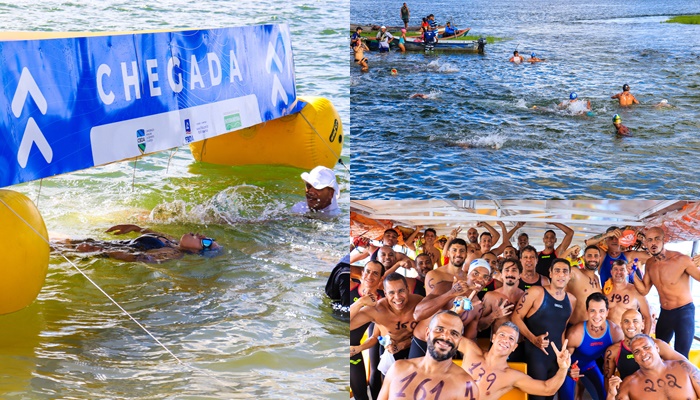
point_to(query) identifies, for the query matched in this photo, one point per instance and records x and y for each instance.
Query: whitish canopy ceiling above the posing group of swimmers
(586, 217)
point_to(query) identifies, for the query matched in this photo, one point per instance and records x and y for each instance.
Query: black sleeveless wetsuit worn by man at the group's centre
(550, 317)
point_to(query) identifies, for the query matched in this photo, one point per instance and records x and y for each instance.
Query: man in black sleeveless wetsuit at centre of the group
(542, 315)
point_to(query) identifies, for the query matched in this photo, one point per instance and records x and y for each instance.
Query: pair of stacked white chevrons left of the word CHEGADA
(32, 134)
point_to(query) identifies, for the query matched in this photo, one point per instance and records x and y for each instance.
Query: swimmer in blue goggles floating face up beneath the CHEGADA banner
(150, 247)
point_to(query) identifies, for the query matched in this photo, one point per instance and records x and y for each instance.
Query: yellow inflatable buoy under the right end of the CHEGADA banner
(306, 140)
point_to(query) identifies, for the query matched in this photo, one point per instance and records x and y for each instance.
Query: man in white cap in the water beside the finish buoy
(321, 193)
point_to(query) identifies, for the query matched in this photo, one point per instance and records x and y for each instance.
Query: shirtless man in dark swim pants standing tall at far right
(670, 272)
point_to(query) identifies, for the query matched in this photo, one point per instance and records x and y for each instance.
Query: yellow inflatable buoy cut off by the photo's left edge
(25, 255)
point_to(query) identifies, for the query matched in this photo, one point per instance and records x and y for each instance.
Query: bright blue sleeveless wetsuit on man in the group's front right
(586, 354)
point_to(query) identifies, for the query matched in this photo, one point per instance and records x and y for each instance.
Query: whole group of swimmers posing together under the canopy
(576, 321)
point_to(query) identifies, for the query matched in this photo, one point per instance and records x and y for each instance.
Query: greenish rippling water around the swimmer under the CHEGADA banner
(251, 323)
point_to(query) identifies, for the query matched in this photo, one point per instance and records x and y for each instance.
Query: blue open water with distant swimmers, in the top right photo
(477, 134)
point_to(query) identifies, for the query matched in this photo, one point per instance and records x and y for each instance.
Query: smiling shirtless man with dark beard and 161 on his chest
(434, 373)
